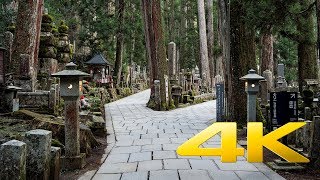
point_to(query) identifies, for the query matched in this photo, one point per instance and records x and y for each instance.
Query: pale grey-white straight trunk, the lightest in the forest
(205, 71)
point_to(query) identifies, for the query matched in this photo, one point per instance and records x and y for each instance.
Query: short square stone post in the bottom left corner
(13, 160)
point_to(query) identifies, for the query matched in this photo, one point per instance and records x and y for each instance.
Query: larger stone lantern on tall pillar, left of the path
(69, 91)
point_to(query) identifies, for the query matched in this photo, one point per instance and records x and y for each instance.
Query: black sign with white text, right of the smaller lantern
(283, 108)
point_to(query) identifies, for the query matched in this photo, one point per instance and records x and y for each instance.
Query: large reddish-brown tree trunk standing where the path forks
(156, 50)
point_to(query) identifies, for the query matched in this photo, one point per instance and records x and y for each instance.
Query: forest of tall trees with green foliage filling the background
(221, 37)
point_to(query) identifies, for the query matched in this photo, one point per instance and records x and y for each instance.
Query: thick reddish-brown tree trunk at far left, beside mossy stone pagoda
(26, 41)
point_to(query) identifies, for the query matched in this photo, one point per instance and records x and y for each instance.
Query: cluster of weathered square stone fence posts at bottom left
(32, 159)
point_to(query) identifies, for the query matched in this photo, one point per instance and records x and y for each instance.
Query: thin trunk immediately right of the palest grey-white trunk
(211, 41)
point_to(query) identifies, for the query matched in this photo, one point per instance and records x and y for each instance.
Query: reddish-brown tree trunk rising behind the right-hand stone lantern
(267, 51)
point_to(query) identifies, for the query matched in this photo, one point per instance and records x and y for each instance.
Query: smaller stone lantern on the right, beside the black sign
(252, 88)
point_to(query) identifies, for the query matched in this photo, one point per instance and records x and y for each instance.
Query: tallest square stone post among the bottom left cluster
(38, 156)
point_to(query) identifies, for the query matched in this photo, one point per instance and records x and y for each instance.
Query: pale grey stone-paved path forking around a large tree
(143, 143)
